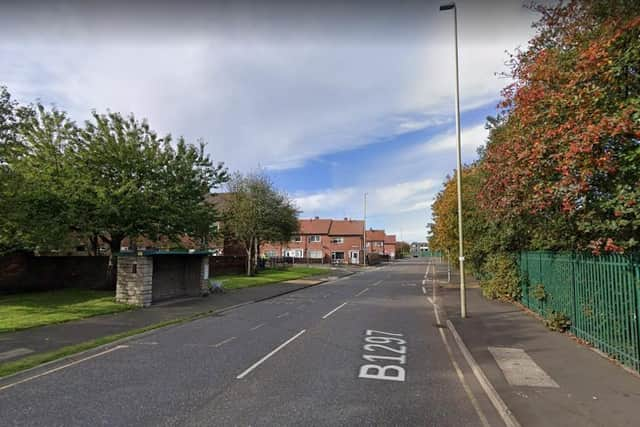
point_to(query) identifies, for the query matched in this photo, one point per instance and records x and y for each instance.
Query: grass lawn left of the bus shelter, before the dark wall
(22, 311)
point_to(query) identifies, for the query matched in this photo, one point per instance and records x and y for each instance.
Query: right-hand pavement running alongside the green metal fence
(580, 387)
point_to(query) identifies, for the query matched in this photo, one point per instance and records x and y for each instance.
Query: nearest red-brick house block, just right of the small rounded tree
(322, 240)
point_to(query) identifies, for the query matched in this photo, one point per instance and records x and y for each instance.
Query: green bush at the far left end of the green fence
(503, 280)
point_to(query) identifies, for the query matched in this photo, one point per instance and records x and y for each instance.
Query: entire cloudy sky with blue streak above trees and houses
(331, 99)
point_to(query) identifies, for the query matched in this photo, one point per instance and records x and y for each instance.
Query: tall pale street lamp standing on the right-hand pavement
(463, 299)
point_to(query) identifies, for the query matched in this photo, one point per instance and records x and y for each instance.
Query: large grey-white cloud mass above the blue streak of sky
(271, 86)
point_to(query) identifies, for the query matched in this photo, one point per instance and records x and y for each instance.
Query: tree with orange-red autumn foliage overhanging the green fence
(566, 156)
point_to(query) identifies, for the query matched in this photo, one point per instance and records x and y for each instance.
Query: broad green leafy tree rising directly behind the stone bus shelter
(136, 183)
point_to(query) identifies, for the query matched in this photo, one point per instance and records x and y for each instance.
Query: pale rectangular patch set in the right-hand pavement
(519, 368)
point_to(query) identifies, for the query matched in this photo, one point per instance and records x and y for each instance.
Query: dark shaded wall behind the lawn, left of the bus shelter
(23, 272)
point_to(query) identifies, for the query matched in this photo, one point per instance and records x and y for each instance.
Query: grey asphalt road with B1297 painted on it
(292, 360)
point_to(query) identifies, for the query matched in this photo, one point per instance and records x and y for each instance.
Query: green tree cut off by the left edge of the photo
(37, 177)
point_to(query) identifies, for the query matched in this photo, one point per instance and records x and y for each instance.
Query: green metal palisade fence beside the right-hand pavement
(599, 294)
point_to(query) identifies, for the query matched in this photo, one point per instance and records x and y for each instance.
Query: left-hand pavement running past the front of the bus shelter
(29, 342)
